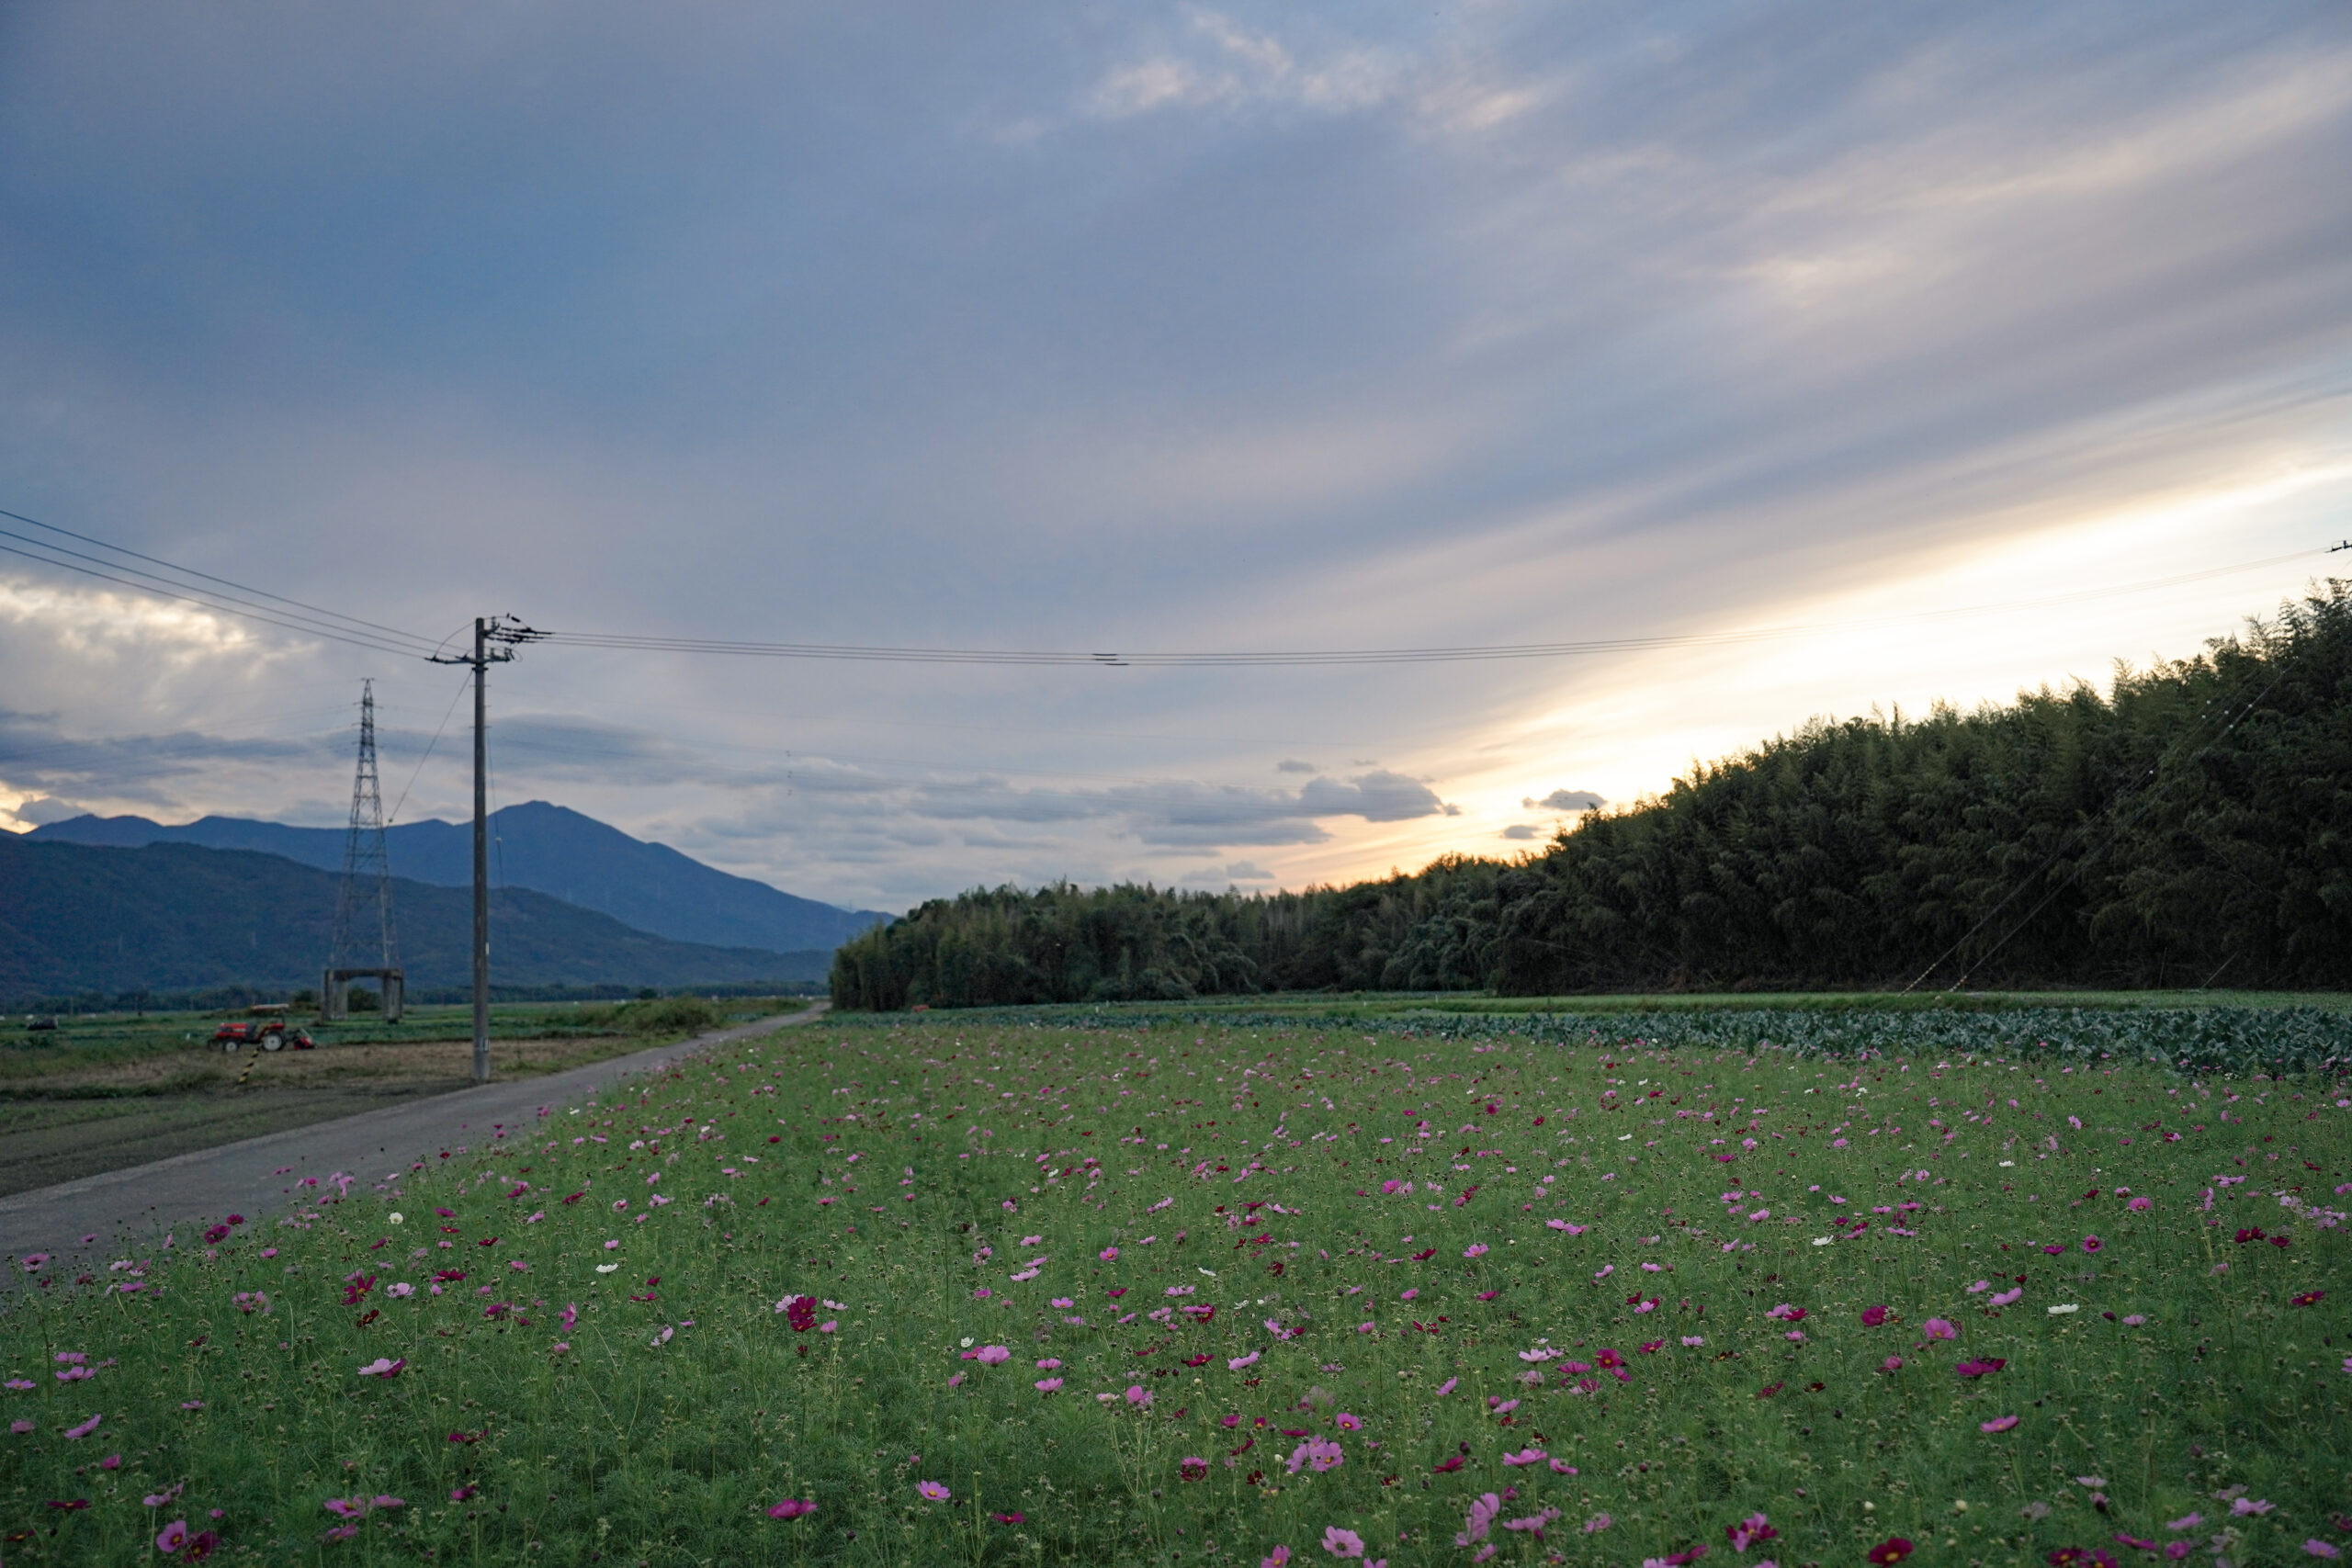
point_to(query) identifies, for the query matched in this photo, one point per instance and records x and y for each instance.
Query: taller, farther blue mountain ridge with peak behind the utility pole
(542, 847)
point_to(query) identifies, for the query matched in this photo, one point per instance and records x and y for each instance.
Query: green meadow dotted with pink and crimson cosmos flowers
(1128, 1292)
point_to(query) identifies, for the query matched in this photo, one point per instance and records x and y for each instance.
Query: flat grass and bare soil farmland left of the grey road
(116, 1092)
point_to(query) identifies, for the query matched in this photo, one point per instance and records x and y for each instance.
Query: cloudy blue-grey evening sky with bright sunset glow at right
(1843, 359)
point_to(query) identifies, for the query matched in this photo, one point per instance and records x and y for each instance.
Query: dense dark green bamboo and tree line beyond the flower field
(2191, 826)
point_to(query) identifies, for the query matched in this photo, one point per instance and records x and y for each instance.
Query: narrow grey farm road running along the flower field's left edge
(262, 1174)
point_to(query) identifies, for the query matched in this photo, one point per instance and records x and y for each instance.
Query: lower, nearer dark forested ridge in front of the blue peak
(178, 918)
